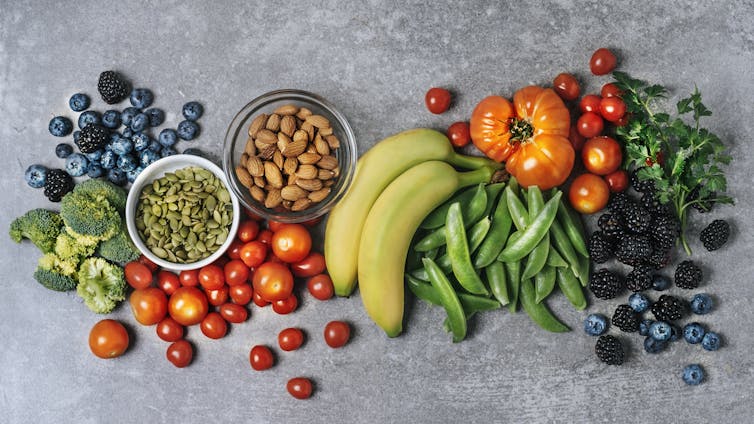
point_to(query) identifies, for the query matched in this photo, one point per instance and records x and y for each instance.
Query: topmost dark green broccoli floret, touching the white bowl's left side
(90, 215)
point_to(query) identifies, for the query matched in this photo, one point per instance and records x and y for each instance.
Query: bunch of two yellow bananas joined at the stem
(397, 184)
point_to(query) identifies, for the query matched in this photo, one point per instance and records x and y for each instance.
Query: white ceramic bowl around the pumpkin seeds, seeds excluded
(157, 170)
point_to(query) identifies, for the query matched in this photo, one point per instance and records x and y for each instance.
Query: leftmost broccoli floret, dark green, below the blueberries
(40, 226)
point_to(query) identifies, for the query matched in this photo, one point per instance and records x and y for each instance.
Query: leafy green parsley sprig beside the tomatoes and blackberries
(684, 160)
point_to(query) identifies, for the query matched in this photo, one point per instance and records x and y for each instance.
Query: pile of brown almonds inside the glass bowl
(289, 158)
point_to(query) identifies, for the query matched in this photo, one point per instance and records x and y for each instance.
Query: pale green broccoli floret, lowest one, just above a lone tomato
(101, 285)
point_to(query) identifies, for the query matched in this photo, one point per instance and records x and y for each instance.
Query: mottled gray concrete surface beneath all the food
(374, 60)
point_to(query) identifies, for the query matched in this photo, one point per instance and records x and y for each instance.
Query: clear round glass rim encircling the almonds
(236, 126)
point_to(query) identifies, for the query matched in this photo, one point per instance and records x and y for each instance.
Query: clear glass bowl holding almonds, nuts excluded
(237, 136)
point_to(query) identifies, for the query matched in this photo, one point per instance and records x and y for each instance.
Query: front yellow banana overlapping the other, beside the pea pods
(389, 227)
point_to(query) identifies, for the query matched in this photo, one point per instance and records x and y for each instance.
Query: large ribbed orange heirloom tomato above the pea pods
(530, 135)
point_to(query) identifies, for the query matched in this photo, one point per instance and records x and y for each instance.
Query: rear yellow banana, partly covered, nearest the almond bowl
(374, 171)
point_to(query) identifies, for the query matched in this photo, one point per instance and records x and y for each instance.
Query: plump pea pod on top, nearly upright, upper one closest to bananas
(458, 251)
